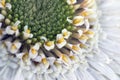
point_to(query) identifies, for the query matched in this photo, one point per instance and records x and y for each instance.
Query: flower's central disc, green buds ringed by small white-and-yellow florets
(47, 36)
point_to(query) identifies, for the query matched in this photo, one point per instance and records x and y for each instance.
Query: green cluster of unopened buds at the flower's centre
(44, 17)
